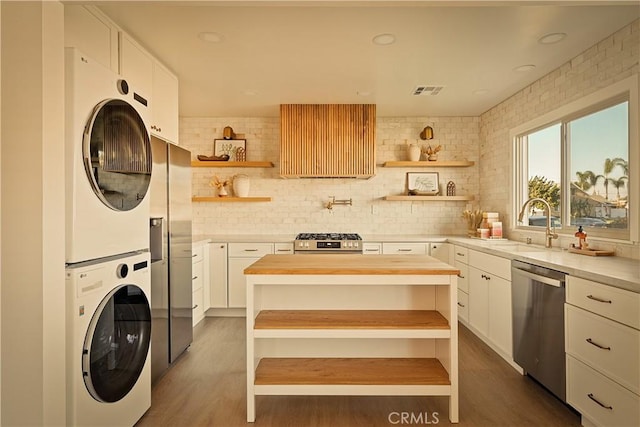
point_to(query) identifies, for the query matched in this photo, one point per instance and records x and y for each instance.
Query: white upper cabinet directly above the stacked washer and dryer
(90, 31)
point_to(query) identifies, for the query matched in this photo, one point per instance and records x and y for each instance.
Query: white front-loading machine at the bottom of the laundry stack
(108, 341)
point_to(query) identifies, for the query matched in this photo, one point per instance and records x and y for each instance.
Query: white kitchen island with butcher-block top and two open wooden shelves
(338, 324)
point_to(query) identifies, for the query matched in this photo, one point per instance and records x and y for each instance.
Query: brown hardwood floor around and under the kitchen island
(206, 387)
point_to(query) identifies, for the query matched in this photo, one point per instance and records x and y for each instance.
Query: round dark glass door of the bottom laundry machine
(117, 344)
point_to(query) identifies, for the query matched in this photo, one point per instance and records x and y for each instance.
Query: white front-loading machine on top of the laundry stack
(107, 162)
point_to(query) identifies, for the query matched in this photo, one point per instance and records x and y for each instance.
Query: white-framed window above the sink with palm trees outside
(577, 160)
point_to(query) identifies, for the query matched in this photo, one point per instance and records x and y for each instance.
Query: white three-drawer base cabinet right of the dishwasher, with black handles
(602, 341)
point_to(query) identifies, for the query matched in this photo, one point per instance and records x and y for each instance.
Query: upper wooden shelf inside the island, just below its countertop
(350, 319)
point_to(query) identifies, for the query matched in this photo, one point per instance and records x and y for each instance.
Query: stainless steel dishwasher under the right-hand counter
(537, 299)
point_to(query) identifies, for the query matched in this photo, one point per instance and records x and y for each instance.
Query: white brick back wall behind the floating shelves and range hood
(298, 204)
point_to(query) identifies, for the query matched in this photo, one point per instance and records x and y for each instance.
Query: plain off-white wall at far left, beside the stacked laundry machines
(32, 247)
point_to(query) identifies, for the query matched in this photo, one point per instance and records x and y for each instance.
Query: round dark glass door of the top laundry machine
(117, 154)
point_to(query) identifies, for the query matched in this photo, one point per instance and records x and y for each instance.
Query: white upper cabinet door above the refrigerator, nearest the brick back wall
(164, 122)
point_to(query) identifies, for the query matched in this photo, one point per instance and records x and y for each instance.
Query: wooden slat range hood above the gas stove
(327, 140)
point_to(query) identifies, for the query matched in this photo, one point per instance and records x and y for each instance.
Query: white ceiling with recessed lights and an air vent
(322, 52)
